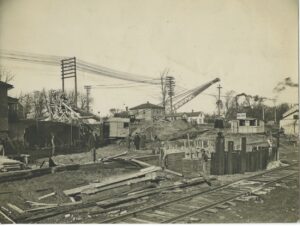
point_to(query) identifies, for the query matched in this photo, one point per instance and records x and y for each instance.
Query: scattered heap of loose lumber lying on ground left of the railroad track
(103, 196)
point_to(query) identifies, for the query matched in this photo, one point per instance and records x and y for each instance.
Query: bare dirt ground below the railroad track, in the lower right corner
(280, 205)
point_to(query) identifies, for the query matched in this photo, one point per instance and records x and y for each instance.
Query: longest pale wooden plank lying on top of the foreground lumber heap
(141, 173)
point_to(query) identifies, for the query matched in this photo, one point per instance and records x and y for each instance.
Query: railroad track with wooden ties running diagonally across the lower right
(181, 209)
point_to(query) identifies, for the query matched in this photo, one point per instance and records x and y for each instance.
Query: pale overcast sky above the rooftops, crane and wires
(251, 45)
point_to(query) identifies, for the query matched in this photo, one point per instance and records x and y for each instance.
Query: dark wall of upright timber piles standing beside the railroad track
(240, 161)
